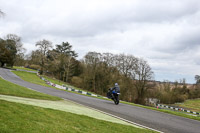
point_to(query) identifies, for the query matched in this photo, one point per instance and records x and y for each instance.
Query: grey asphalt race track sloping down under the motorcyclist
(150, 118)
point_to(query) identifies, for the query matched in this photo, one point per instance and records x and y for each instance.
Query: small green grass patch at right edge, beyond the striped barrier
(192, 104)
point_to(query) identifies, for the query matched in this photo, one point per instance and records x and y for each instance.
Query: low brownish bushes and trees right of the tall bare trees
(176, 93)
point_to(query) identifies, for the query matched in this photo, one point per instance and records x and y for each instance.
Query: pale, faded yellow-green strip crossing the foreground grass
(64, 105)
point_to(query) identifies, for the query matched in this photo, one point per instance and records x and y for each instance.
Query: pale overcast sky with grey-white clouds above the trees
(166, 33)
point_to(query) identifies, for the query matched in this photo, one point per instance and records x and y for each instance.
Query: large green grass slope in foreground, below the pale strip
(19, 118)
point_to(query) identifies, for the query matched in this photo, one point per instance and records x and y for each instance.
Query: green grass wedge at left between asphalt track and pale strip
(8, 88)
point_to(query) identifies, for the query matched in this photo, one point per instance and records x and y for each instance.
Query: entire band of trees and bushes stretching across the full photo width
(96, 72)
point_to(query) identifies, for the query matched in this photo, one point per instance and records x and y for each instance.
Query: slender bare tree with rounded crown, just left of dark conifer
(44, 47)
